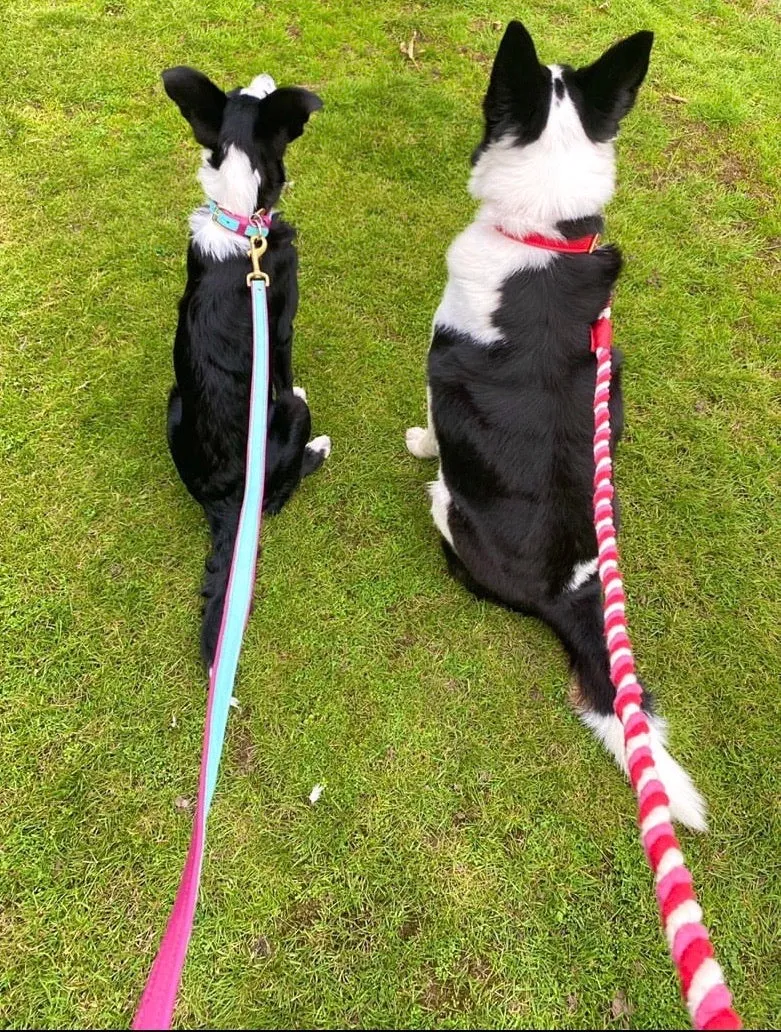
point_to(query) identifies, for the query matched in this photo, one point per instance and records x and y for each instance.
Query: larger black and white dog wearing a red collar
(511, 377)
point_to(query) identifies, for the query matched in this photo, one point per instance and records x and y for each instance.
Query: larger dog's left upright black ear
(518, 95)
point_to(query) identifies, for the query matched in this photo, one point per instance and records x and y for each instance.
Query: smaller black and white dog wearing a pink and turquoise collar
(245, 135)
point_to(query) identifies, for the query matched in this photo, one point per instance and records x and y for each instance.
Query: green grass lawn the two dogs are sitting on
(474, 861)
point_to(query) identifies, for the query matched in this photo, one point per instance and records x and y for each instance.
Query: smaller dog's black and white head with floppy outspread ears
(245, 134)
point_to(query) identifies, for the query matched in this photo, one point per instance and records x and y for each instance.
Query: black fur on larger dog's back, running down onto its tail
(515, 438)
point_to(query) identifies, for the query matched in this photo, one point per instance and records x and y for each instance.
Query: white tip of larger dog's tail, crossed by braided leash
(687, 805)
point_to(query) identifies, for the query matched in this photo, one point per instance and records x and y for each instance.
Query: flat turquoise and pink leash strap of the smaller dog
(156, 1008)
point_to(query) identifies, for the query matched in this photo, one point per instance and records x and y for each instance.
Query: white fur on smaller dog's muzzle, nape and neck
(235, 186)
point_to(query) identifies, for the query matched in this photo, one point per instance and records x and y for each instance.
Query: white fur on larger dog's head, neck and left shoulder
(563, 175)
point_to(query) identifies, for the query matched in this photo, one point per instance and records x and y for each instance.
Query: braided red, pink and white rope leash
(708, 999)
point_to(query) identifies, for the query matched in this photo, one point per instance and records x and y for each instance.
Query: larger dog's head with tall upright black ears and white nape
(547, 150)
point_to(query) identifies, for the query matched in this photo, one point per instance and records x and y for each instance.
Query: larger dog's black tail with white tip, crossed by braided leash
(577, 619)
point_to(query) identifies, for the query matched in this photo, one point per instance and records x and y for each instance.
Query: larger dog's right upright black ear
(611, 84)
